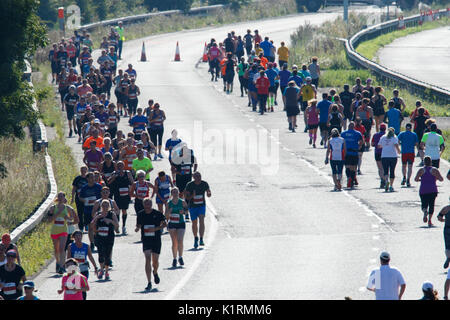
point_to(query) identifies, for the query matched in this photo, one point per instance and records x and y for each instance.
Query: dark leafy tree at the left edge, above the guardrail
(22, 33)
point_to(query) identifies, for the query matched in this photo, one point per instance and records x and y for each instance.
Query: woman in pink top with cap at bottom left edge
(73, 282)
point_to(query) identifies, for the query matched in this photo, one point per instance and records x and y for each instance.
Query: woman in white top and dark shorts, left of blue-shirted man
(336, 150)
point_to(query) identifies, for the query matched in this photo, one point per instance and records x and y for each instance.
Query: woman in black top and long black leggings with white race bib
(103, 224)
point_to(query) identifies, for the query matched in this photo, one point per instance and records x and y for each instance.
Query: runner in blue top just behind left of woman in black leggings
(89, 193)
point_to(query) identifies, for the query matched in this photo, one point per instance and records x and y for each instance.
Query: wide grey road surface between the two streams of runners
(275, 230)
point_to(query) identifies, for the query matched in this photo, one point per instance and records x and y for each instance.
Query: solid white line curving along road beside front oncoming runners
(211, 236)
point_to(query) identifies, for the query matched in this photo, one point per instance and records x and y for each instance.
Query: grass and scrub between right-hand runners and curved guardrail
(322, 41)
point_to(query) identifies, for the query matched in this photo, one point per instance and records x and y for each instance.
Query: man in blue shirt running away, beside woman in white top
(353, 140)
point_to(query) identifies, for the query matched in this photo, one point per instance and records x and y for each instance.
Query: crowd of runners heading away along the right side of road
(350, 122)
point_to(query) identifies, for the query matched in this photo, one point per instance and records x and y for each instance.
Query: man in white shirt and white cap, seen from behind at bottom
(386, 281)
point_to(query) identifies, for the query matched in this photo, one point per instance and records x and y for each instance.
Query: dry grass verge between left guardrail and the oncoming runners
(36, 247)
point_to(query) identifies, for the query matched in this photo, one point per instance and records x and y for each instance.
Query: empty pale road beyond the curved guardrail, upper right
(422, 56)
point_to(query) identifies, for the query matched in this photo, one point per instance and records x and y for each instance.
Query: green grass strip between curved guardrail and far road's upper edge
(370, 48)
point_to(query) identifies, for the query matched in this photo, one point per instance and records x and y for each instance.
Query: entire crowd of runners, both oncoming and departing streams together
(118, 164)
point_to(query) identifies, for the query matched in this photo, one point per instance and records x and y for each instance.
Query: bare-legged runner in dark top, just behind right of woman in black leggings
(120, 183)
